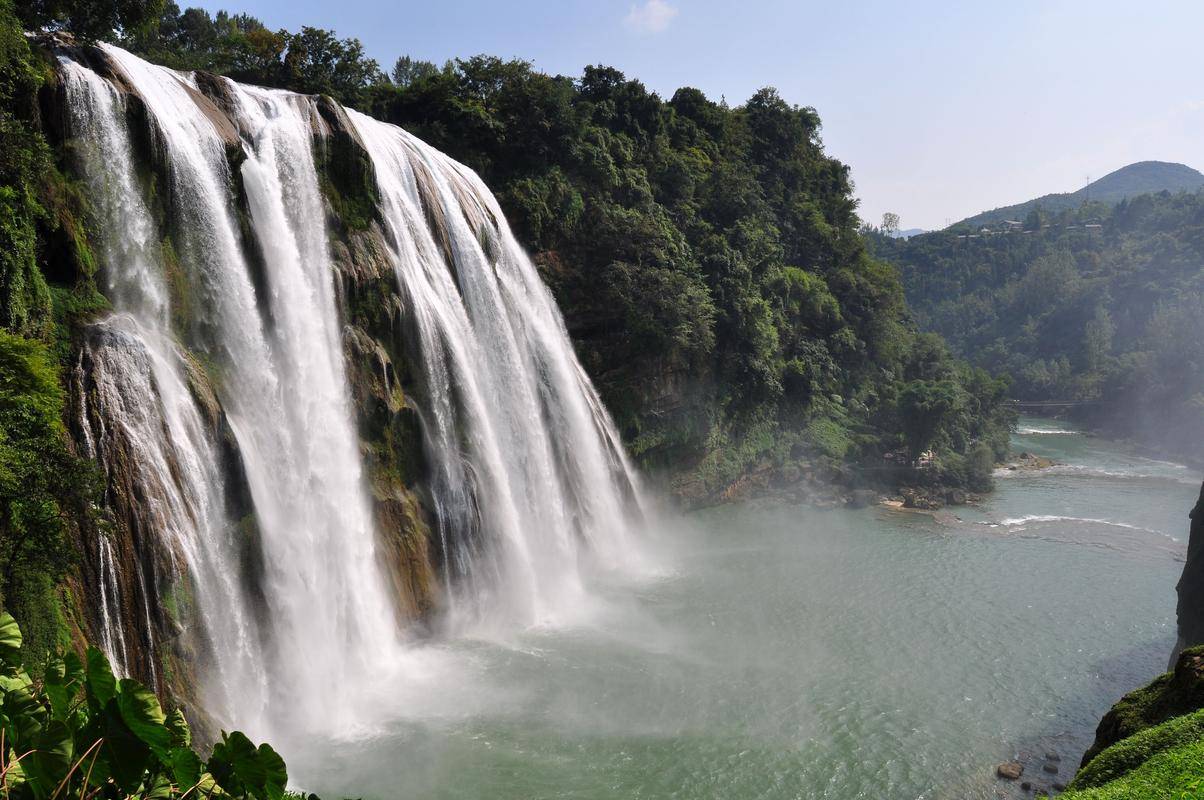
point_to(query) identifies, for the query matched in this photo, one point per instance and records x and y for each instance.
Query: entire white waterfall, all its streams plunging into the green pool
(227, 319)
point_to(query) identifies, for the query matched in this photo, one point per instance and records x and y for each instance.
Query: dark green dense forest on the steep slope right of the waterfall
(707, 260)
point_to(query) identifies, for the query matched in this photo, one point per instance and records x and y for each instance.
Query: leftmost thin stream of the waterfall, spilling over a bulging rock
(133, 385)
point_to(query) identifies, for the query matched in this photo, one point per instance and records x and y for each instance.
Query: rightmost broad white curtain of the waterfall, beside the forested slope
(528, 467)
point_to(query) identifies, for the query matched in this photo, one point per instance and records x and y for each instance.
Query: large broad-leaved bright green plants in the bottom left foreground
(79, 732)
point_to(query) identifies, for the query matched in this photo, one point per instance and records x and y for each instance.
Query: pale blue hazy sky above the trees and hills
(941, 109)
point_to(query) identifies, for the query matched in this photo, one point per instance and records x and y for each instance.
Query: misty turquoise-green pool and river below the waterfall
(786, 652)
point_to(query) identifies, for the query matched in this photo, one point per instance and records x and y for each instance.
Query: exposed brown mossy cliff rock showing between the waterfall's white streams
(134, 589)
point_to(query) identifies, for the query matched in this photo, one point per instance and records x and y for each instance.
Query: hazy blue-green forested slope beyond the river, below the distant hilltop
(1102, 305)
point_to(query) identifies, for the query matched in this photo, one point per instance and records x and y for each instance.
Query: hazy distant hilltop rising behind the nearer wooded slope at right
(1126, 183)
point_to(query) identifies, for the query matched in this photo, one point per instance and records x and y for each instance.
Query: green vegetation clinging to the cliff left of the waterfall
(46, 272)
